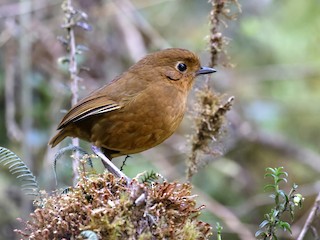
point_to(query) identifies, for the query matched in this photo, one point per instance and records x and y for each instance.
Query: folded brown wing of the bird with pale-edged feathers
(88, 107)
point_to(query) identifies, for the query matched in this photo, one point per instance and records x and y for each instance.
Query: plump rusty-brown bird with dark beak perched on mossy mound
(139, 109)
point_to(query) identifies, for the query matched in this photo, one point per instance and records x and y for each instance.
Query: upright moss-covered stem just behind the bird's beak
(210, 114)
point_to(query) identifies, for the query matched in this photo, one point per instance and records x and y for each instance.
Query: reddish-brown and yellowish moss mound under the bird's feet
(114, 210)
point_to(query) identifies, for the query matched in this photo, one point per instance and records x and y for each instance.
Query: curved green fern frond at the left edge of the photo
(18, 168)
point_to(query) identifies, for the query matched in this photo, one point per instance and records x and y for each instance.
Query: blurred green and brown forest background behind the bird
(274, 47)
